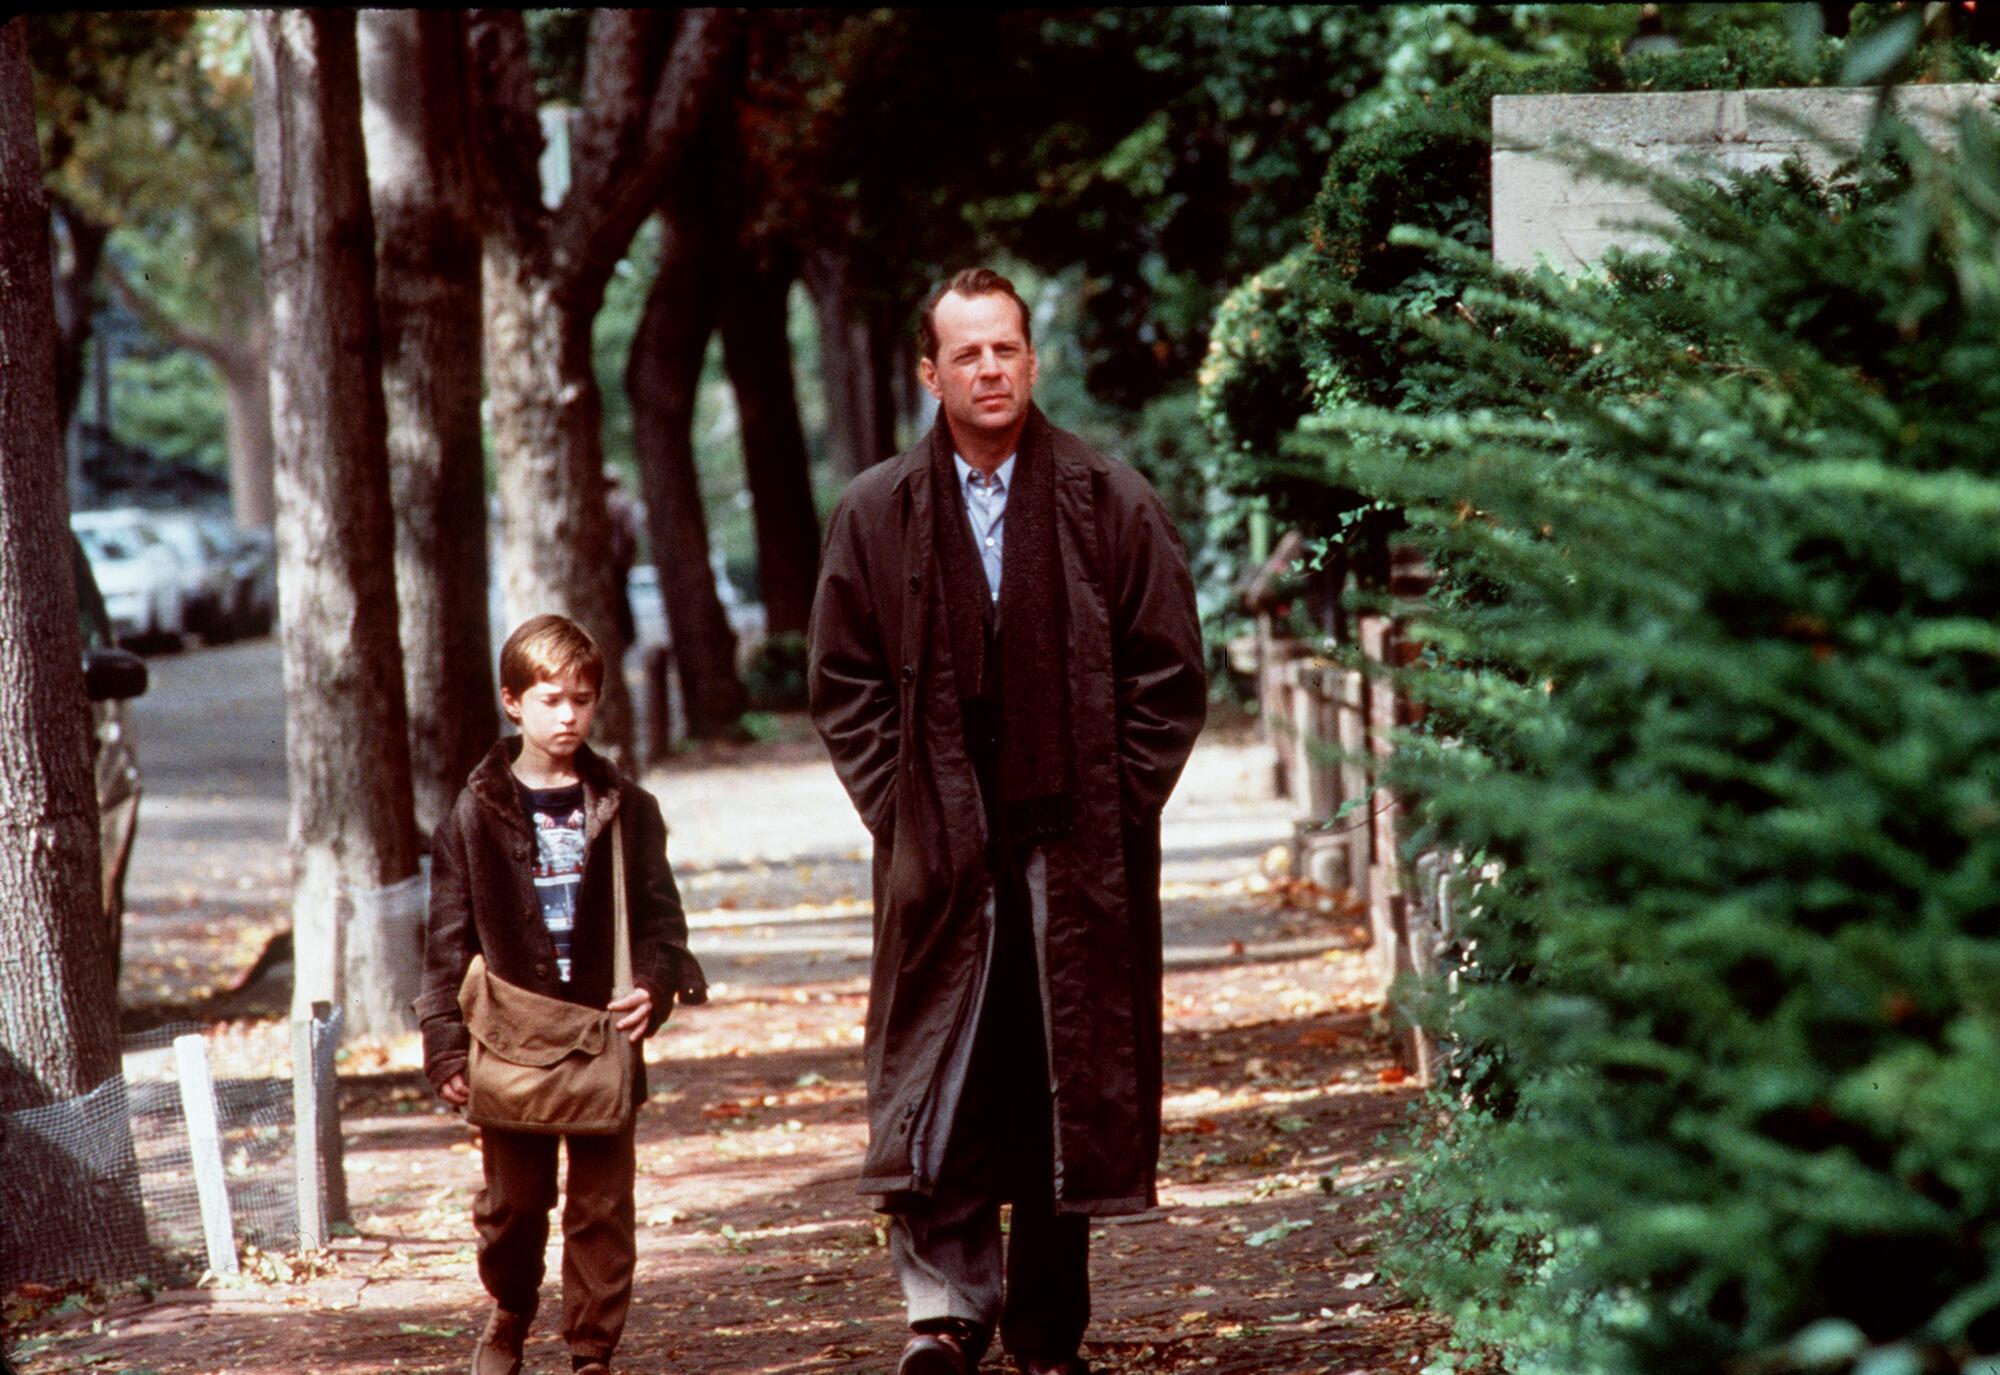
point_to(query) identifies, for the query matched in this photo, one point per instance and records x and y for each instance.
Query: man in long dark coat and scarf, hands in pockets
(1007, 671)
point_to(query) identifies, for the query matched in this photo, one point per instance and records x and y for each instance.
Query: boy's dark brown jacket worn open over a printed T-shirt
(483, 904)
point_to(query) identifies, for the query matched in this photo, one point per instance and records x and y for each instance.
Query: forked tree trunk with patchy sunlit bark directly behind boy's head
(647, 85)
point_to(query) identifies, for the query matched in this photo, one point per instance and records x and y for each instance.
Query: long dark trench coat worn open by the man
(887, 704)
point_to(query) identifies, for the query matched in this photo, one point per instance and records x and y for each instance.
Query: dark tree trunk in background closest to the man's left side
(759, 357)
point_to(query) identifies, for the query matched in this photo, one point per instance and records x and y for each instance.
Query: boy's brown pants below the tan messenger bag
(599, 1240)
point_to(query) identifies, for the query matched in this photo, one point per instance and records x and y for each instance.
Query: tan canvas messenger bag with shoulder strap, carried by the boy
(541, 1064)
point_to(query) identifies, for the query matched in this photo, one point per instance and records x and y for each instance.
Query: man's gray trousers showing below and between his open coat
(947, 1248)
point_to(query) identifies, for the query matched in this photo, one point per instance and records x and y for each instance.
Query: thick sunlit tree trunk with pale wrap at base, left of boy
(347, 728)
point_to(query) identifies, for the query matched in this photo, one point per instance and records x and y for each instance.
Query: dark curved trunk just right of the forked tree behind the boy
(663, 377)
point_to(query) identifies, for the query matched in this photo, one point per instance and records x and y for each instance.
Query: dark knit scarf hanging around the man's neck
(1027, 677)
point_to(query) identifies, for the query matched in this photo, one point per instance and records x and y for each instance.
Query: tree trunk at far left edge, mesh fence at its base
(59, 998)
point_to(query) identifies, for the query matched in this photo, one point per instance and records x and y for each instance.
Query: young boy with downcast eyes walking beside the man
(521, 872)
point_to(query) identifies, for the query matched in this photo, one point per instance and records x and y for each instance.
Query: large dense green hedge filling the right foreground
(1715, 685)
